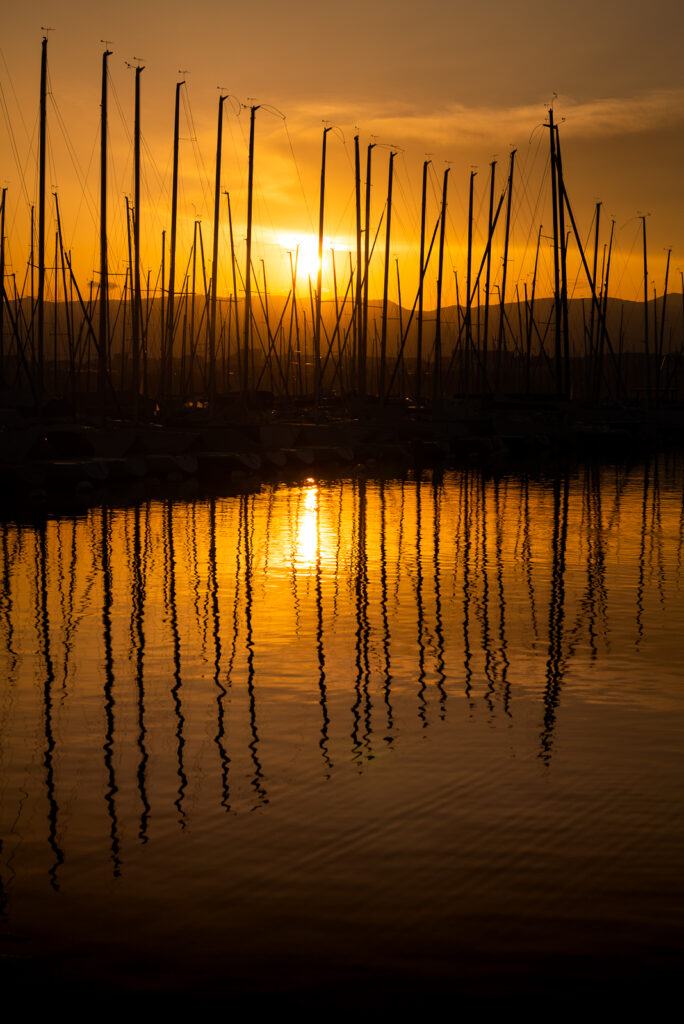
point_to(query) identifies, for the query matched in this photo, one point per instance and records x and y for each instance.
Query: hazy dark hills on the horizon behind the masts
(625, 323)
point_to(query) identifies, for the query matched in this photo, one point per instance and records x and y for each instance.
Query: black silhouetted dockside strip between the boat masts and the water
(52, 463)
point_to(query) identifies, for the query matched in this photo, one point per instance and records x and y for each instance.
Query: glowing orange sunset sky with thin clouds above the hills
(462, 87)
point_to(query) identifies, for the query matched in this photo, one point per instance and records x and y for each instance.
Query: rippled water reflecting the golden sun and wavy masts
(349, 744)
